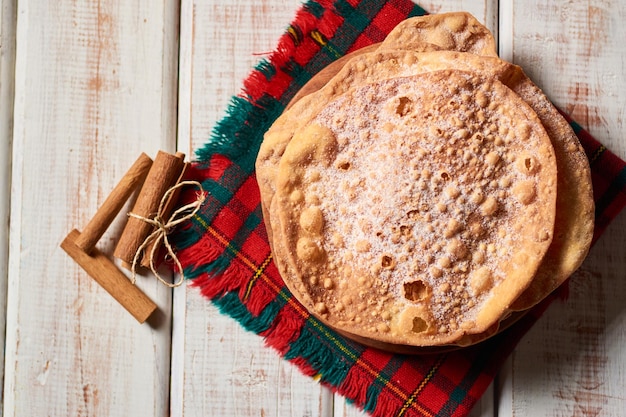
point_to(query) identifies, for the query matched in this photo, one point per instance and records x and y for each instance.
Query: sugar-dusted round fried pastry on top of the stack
(457, 229)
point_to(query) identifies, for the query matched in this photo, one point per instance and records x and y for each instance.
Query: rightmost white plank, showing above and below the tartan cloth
(572, 362)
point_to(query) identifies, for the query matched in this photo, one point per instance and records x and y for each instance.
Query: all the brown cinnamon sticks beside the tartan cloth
(153, 179)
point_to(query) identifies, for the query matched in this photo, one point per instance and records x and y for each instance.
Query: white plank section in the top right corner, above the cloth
(574, 51)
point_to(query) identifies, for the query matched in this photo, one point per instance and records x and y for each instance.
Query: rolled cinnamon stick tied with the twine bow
(163, 174)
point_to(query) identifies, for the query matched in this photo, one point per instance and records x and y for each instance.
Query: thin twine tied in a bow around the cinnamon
(162, 229)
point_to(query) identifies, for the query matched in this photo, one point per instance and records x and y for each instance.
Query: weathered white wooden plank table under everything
(86, 86)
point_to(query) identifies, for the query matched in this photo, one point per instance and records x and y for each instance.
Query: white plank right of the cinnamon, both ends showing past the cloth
(219, 369)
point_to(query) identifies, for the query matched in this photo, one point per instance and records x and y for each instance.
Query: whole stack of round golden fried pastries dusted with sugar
(422, 192)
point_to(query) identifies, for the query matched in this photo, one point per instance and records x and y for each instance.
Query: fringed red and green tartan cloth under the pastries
(225, 250)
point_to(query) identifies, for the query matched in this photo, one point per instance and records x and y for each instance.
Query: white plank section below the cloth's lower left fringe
(228, 371)
